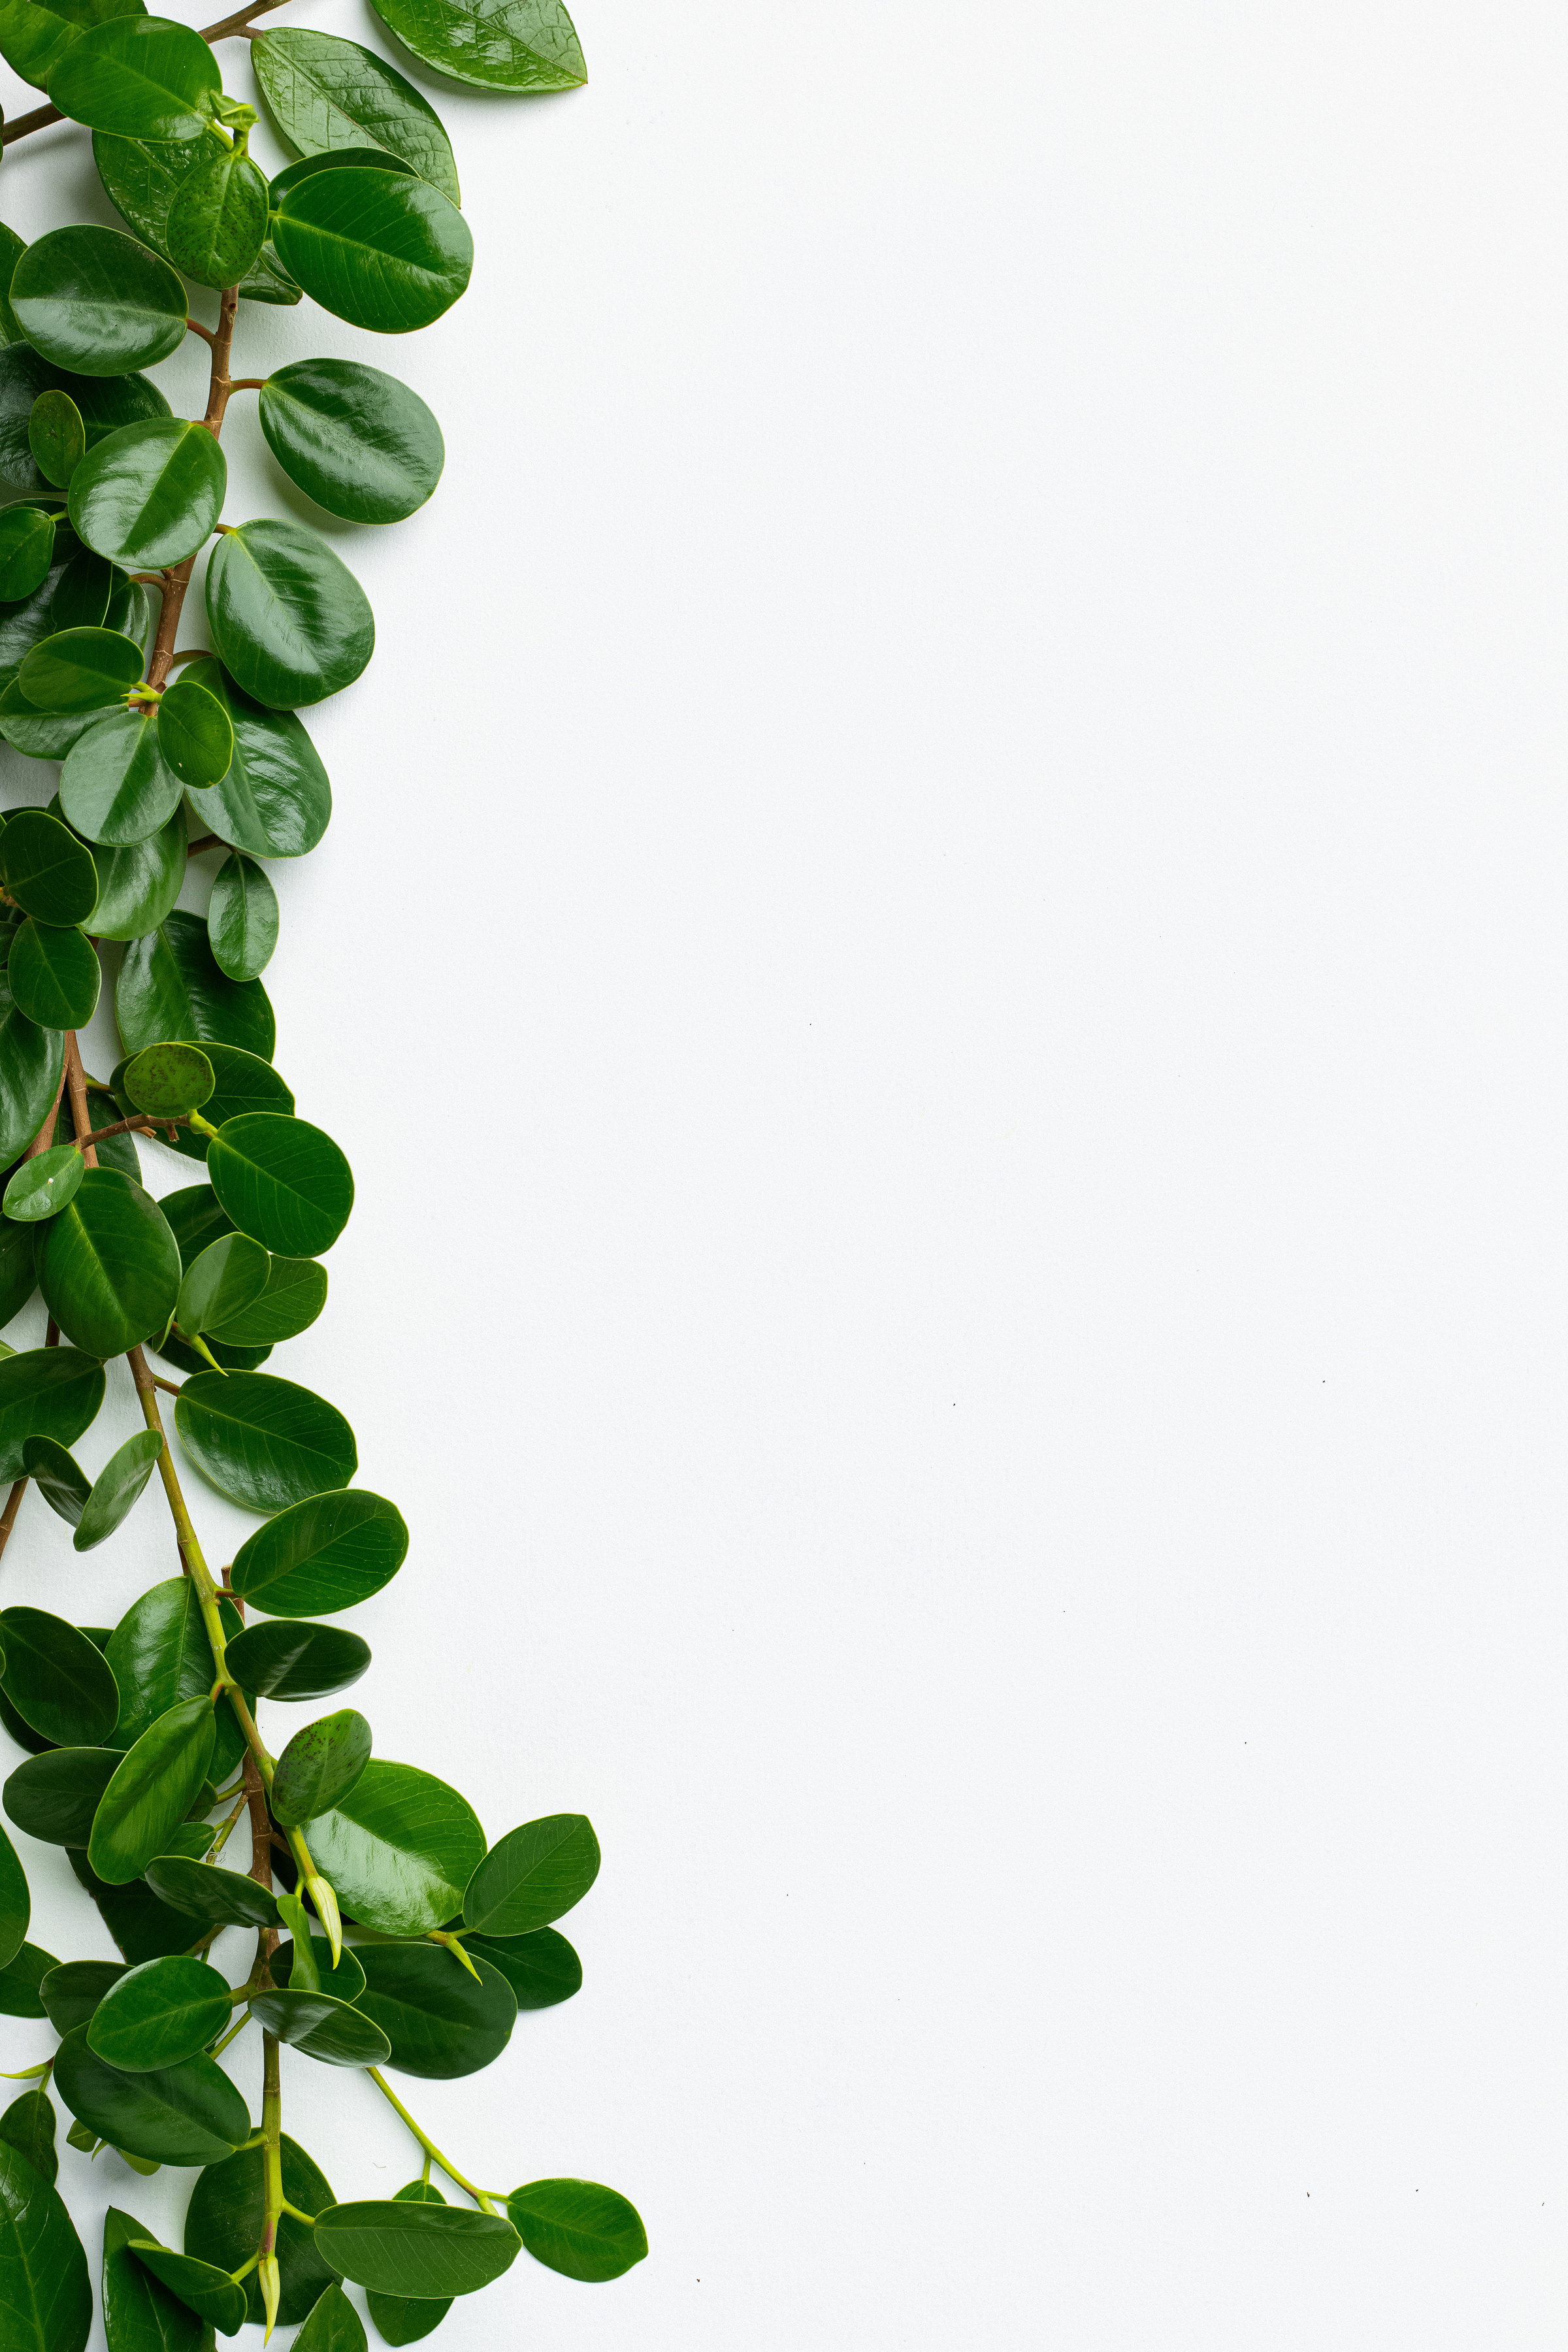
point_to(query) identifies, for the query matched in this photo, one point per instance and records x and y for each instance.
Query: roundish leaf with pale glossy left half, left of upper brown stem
(152, 493)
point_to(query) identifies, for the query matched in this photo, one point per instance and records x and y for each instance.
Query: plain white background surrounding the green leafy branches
(944, 965)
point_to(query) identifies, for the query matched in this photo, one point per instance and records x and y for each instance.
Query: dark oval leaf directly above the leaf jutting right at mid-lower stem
(260, 1441)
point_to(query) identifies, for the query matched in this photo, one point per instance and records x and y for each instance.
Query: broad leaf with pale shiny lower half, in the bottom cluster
(398, 1850)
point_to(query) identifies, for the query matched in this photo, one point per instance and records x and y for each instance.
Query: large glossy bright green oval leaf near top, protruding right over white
(375, 248)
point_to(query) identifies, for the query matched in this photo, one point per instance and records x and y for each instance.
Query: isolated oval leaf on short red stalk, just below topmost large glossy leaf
(356, 441)
